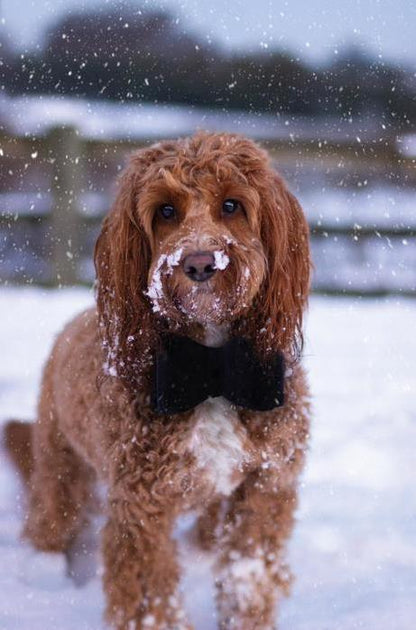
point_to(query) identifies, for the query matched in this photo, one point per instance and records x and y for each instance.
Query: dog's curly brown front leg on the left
(141, 572)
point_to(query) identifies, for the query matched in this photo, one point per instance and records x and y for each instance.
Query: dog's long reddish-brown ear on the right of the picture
(284, 294)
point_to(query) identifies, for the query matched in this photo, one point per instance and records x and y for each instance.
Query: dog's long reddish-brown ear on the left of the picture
(122, 258)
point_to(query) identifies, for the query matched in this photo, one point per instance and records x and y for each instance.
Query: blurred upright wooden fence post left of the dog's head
(64, 148)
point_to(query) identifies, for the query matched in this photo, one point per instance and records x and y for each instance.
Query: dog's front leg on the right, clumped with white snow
(251, 570)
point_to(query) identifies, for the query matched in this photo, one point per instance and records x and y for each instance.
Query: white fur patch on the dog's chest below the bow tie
(219, 443)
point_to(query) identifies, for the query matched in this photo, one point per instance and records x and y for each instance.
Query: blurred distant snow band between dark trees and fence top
(94, 119)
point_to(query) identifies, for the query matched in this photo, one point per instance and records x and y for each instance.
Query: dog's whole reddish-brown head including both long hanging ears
(203, 231)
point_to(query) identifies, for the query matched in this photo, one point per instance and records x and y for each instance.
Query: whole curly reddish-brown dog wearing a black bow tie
(203, 271)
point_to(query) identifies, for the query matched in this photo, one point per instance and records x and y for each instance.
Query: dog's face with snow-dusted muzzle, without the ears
(202, 221)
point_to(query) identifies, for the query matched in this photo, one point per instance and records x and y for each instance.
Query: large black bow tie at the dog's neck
(186, 373)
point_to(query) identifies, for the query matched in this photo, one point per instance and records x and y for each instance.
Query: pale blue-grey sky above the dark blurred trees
(314, 30)
